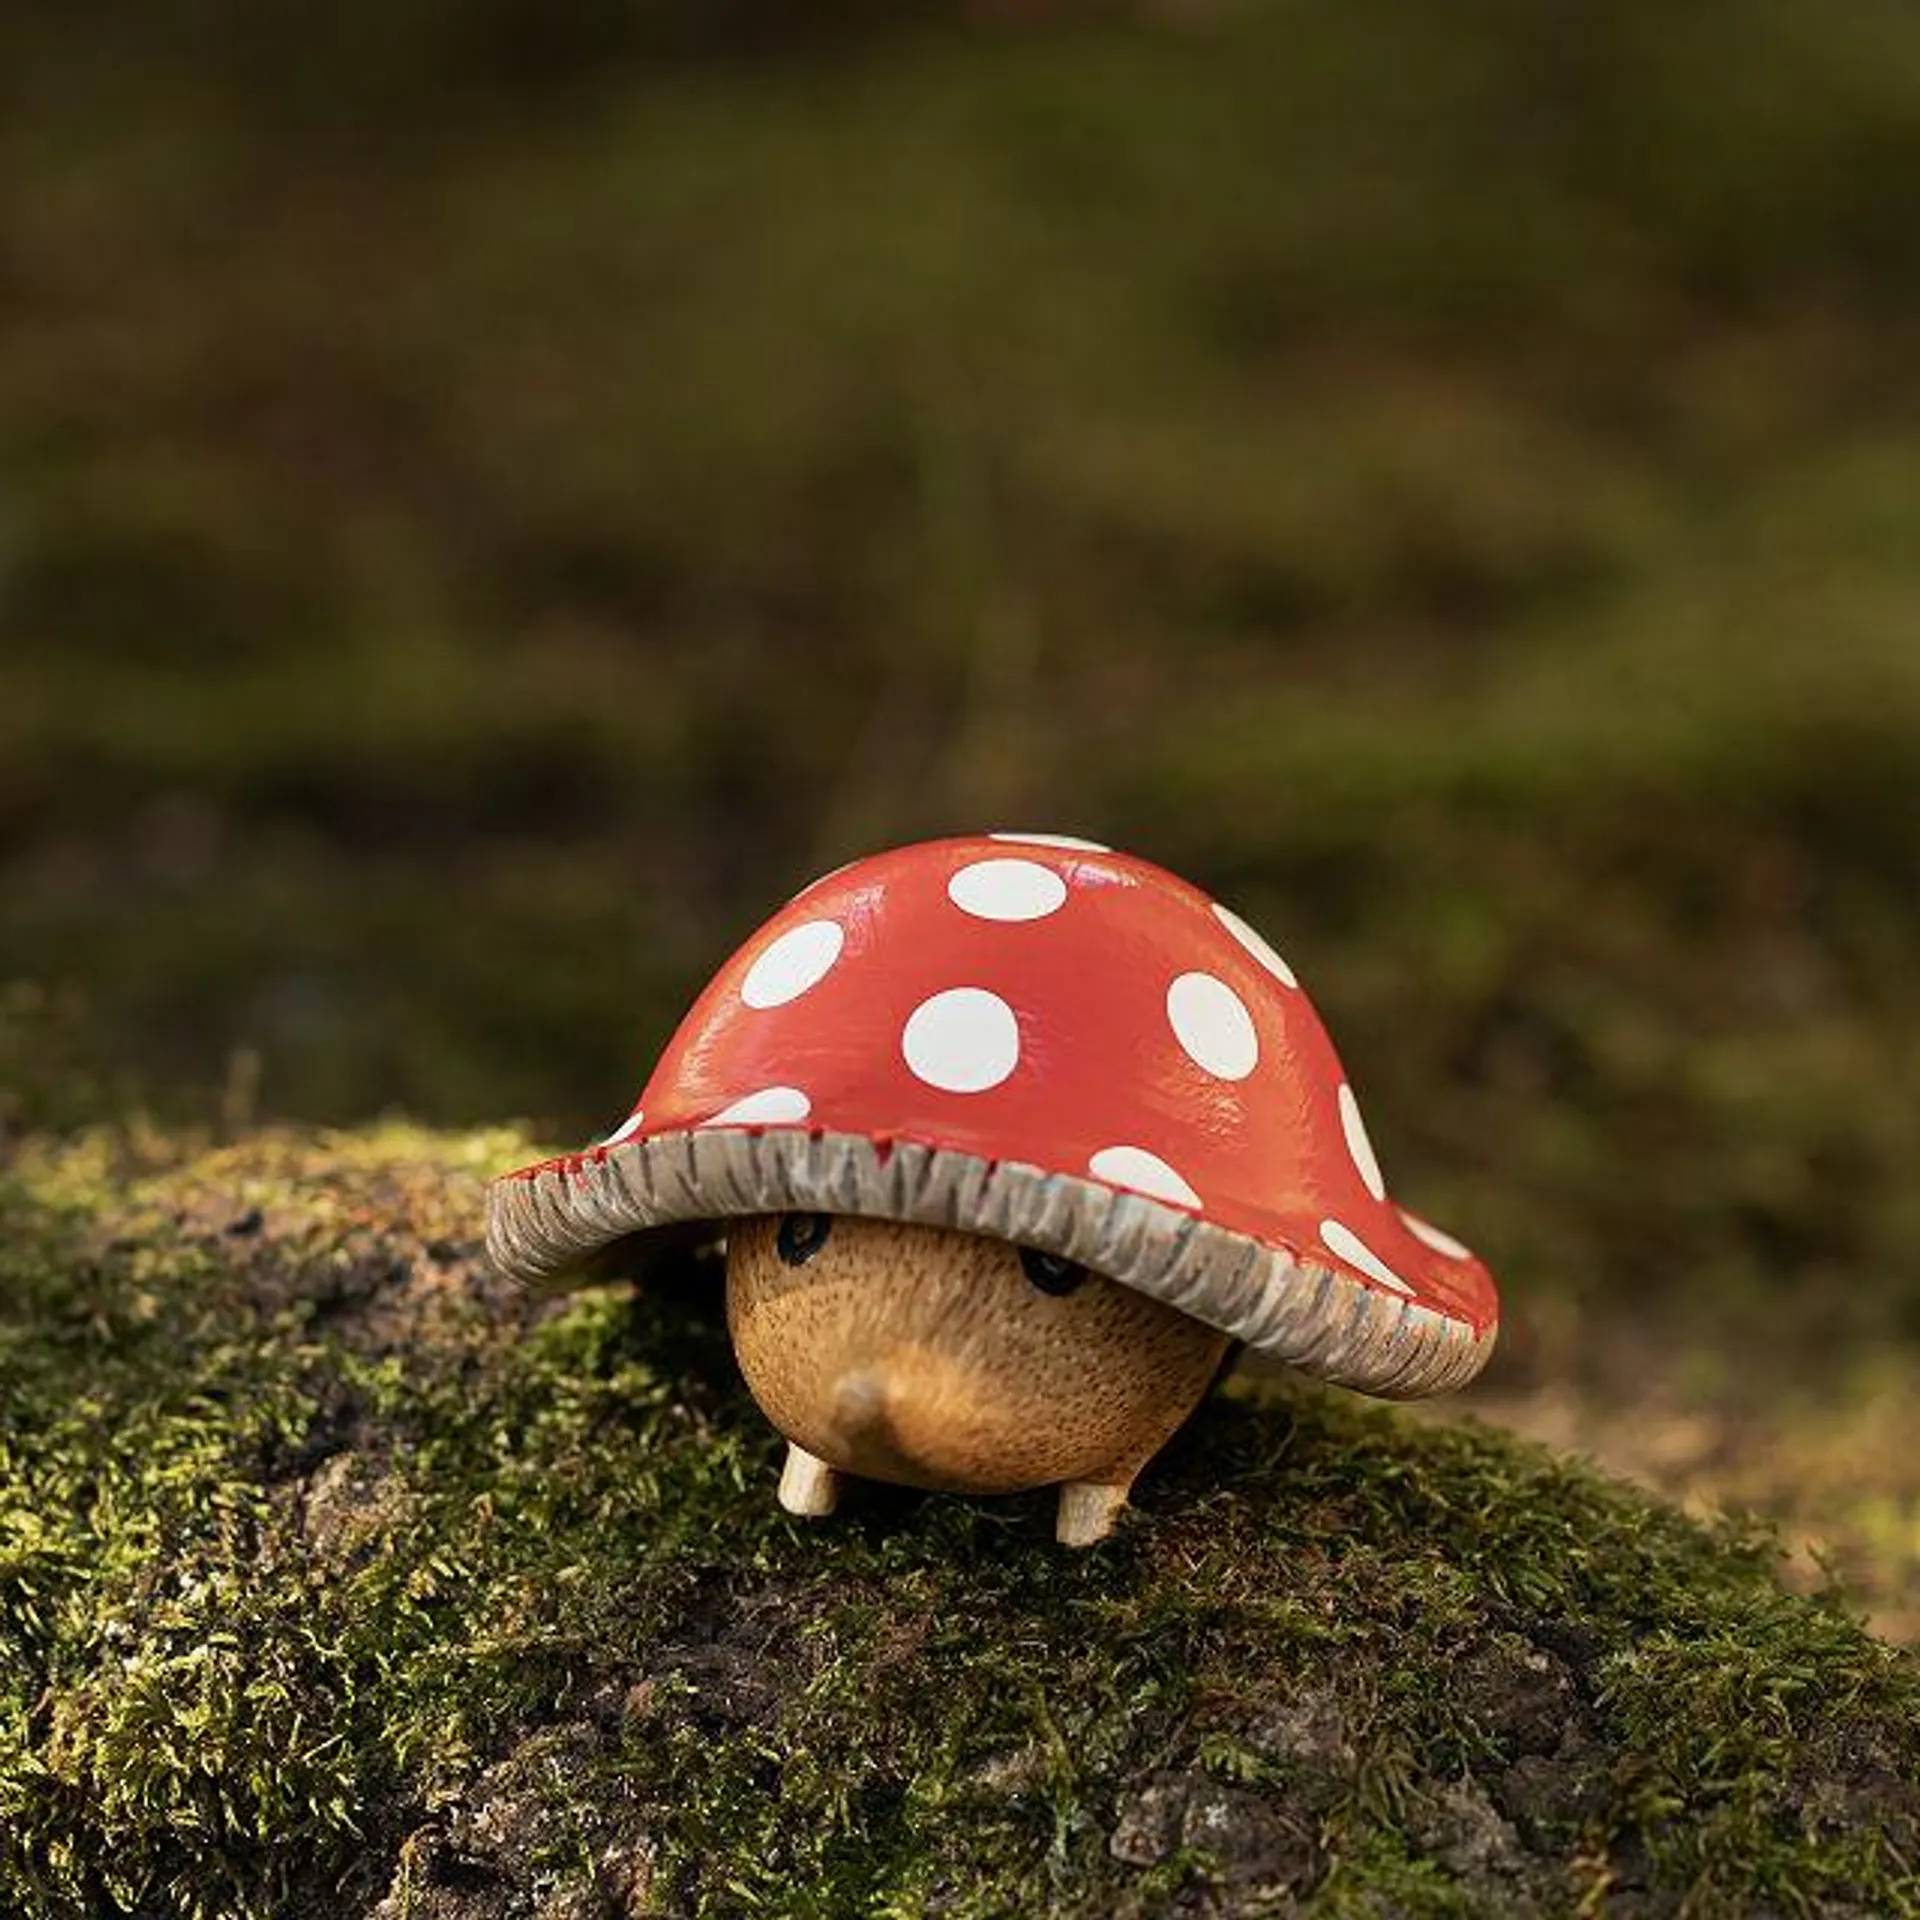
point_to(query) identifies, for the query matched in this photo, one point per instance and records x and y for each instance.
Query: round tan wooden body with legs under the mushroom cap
(955, 1362)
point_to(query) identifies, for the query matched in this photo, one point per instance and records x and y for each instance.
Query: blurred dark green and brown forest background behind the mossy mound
(494, 494)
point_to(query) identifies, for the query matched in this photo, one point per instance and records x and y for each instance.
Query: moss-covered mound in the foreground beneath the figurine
(335, 1577)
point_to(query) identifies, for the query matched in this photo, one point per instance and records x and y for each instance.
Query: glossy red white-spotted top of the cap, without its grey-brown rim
(1067, 1007)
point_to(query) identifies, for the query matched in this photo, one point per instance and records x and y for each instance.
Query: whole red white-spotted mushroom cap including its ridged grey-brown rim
(1055, 1044)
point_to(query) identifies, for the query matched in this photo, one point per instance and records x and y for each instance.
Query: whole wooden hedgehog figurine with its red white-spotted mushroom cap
(1009, 1140)
